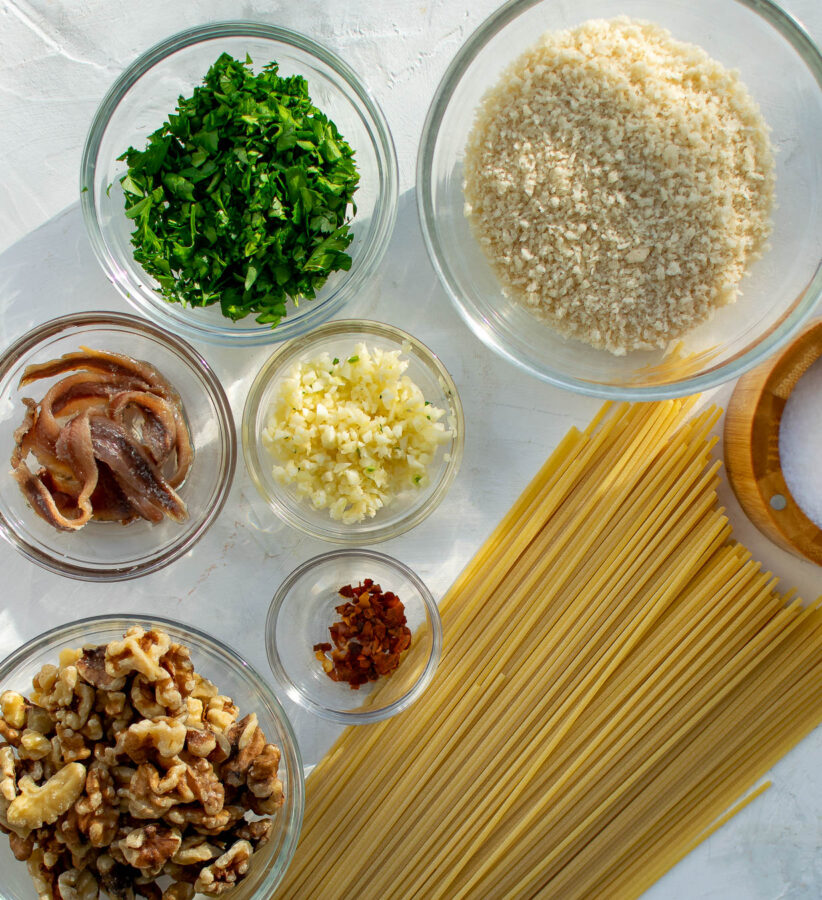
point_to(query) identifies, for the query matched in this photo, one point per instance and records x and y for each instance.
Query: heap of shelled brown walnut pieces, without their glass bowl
(124, 768)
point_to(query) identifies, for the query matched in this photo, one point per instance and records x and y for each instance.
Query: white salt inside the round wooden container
(800, 437)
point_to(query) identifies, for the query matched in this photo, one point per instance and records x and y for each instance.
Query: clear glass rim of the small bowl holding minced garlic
(250, 440)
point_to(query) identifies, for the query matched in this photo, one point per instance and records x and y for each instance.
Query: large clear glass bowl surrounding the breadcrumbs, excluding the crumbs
(783, 71)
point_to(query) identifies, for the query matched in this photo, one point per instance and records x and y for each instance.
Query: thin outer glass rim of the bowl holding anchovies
(40, 333)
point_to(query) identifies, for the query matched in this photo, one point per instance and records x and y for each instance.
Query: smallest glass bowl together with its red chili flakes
(353, 636)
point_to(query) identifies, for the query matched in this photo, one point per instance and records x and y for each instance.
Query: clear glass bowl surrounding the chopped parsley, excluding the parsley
(140, 101)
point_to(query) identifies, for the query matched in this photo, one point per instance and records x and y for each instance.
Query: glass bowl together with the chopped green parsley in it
(239, 183)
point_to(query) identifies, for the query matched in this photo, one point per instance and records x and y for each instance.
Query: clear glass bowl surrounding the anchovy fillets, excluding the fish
(103, 551)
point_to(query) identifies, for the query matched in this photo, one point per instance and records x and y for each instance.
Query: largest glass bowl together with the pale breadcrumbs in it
(623, 198)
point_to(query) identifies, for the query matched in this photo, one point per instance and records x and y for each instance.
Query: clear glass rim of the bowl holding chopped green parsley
(385, 207)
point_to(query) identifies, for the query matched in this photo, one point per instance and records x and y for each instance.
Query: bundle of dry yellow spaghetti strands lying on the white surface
(617, 674)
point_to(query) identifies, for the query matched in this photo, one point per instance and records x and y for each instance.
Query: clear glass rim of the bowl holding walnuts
(77, 628)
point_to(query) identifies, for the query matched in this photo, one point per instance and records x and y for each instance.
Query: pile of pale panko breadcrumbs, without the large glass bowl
(620, 182)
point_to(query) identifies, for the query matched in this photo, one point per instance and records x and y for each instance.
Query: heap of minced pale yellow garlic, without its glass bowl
(350, 435)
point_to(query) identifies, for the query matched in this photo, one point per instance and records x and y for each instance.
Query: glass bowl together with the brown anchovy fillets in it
(119, 446)
